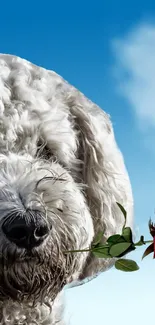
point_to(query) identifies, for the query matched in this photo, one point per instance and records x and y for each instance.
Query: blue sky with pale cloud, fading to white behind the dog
(106, 49)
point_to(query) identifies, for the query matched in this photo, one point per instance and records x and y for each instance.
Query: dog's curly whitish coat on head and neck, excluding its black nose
(58, 155)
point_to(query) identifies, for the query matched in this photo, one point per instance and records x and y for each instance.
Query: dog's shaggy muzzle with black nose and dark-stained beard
(43, 216)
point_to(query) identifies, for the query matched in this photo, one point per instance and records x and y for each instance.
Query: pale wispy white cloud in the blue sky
(135, 70)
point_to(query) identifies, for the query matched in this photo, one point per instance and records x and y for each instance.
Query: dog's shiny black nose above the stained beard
(26, 231)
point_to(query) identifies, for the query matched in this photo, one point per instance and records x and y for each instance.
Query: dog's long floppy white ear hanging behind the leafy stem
(104, 173)
